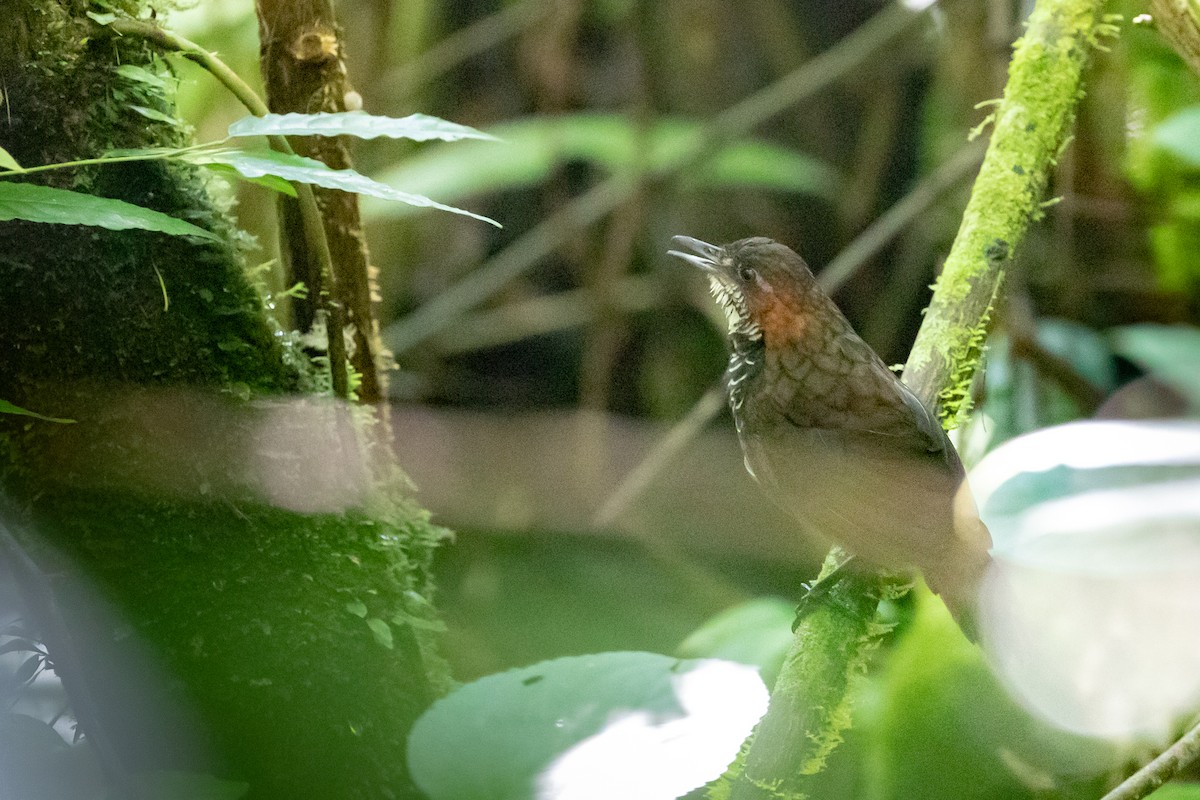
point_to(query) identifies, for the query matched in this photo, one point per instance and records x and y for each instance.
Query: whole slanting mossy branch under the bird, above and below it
(811, 703)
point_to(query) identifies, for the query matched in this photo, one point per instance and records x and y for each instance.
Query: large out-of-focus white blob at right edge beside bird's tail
(1089, 612)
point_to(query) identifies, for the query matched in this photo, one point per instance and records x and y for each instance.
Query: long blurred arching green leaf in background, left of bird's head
(537, 147)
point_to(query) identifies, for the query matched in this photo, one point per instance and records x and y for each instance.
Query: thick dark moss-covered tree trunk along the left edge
(202, 520)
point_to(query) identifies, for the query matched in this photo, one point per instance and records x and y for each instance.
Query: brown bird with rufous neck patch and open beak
(831, 432)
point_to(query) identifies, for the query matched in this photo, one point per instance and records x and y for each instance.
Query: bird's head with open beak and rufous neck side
(764, 287)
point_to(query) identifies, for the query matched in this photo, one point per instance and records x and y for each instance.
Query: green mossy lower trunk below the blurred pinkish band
(277, 663)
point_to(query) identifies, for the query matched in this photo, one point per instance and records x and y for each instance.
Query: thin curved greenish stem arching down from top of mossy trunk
(314, 227)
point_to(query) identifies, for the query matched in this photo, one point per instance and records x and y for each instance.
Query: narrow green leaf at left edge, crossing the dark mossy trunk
(63, 207)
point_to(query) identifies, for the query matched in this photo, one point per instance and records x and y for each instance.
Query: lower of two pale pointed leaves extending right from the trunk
(257, 164)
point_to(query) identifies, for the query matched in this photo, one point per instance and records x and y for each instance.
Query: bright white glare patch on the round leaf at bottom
(639, 756)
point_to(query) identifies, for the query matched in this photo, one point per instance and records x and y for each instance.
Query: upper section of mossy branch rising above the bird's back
(1031, 128)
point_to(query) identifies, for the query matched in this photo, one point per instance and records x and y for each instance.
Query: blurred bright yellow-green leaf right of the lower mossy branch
(941, 726)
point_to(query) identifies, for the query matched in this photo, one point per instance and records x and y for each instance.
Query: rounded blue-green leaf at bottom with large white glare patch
(610, 725)
